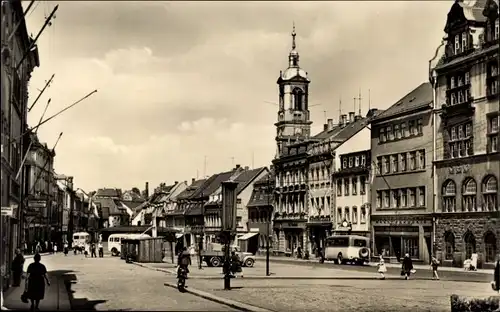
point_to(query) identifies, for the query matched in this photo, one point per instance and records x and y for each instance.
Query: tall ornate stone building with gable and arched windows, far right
(466, 134)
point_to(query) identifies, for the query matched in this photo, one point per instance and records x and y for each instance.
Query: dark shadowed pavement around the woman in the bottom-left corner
(56, 295)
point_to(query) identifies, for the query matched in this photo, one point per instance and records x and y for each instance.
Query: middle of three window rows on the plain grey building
(402, 162)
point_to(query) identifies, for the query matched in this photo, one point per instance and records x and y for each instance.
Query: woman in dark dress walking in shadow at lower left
(36, 279)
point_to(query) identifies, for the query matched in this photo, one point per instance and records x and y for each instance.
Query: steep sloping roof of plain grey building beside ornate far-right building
(418, 98)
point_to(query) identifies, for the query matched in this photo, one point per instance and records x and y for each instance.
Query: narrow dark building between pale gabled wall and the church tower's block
(261, 209)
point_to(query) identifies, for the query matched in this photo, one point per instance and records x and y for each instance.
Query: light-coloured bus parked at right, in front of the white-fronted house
(347, 248)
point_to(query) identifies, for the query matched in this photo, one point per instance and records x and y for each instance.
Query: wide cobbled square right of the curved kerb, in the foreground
(344, 295)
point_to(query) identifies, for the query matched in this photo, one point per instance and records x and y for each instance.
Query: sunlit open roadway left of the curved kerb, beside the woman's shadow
(111, 284)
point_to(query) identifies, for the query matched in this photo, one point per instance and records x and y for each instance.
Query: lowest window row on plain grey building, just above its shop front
(410, 197)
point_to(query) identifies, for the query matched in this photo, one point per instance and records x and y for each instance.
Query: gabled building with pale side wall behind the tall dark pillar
(213, 208)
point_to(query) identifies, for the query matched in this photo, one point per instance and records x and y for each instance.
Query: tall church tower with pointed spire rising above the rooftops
(293, 115)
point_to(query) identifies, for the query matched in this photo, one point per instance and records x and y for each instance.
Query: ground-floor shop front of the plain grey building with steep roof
(394, 237)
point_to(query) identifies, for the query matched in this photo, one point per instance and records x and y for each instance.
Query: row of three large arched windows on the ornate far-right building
(469, 195)
